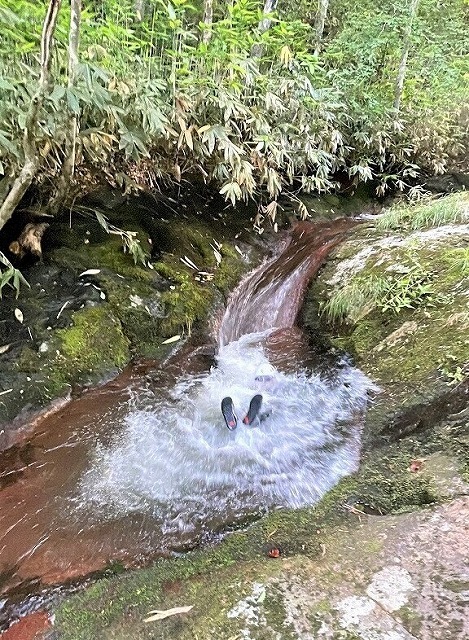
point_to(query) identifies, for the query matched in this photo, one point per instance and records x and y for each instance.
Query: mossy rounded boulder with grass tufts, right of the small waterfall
(397, 302)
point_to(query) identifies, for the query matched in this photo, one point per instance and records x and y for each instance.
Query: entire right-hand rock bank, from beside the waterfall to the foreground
(384, 555)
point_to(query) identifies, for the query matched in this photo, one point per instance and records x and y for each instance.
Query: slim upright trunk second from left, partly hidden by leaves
(68, 166)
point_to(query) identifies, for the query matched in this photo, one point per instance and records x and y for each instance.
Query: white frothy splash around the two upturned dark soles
(177, 461)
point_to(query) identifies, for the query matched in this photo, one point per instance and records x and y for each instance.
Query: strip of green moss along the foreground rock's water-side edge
(116, 607)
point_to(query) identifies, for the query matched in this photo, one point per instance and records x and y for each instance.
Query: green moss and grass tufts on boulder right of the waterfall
(370, 327)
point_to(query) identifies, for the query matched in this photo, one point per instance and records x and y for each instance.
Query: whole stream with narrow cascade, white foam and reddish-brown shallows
(147, 466)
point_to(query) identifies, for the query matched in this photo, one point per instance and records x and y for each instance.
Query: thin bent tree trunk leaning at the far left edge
(31, 155)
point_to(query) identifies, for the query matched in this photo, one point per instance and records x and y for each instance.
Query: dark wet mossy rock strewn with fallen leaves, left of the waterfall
(91, 308)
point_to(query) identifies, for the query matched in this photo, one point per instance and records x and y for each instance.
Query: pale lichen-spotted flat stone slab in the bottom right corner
(394, 578)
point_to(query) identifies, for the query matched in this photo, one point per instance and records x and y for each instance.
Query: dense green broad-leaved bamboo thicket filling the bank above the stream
(256, 110)
